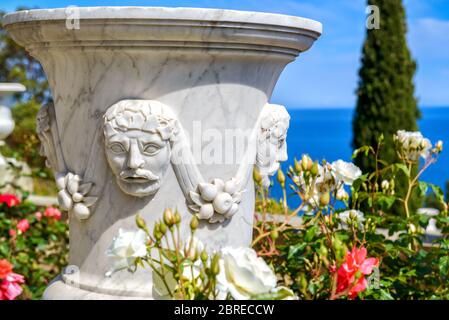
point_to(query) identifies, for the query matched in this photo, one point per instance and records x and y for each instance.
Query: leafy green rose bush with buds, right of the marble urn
(307, 257)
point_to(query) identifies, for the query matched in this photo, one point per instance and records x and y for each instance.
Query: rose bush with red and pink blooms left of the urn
(34, 244)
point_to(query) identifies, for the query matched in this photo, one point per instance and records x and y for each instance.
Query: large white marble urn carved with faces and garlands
(148, 104)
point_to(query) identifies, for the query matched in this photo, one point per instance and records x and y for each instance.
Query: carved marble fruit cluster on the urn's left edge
(73, 195)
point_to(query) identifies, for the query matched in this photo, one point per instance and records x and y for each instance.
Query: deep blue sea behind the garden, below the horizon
(327, 134)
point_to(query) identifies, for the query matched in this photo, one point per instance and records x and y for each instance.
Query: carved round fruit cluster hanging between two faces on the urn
(216, 201)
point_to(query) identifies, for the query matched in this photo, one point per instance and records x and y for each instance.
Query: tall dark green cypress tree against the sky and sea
(385, 94)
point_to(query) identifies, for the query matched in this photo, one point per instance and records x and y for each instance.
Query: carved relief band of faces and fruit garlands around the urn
(143, 137)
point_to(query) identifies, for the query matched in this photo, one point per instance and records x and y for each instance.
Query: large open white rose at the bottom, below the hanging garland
(243, 274)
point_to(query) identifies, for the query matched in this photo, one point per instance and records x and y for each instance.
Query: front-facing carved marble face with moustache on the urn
(137, 146)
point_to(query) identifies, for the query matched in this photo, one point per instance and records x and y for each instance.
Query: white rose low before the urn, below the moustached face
(126, 247)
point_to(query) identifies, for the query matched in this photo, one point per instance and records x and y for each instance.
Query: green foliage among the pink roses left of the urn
(39, 253)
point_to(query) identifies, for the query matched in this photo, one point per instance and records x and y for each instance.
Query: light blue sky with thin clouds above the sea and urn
(326, 76)
